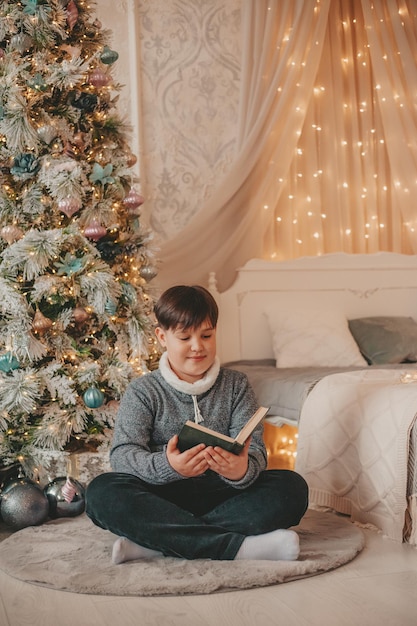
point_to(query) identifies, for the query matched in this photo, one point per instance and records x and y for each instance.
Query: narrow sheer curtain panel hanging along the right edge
(392, 35)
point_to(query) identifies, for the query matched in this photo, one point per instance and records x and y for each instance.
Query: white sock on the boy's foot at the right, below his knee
(279, 545)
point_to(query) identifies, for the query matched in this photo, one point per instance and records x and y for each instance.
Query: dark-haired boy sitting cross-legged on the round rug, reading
(204, 502)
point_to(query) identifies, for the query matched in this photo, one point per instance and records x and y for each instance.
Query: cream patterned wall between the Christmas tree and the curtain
(186, 55)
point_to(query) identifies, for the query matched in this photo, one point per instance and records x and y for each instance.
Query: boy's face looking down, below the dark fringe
(190, 352)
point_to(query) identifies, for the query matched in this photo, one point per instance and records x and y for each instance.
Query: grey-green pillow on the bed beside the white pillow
(386, 339)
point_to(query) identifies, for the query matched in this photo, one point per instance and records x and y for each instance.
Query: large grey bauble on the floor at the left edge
(24, 505)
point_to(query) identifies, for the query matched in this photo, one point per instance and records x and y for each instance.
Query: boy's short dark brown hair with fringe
(186, 307)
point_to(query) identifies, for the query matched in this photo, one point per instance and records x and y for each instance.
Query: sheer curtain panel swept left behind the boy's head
(277, 79)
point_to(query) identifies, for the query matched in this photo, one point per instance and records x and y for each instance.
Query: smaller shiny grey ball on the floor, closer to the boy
(66, 497)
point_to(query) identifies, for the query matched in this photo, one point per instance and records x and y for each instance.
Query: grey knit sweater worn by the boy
(152, 411)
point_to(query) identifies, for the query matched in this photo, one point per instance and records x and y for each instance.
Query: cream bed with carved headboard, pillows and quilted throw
(330, 344)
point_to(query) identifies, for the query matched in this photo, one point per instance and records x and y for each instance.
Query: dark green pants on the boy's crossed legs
(199, 517)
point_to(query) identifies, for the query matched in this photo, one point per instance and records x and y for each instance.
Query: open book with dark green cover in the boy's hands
(192, 434)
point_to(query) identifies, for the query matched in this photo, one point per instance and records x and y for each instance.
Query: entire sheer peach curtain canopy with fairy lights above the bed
(326, 154)
